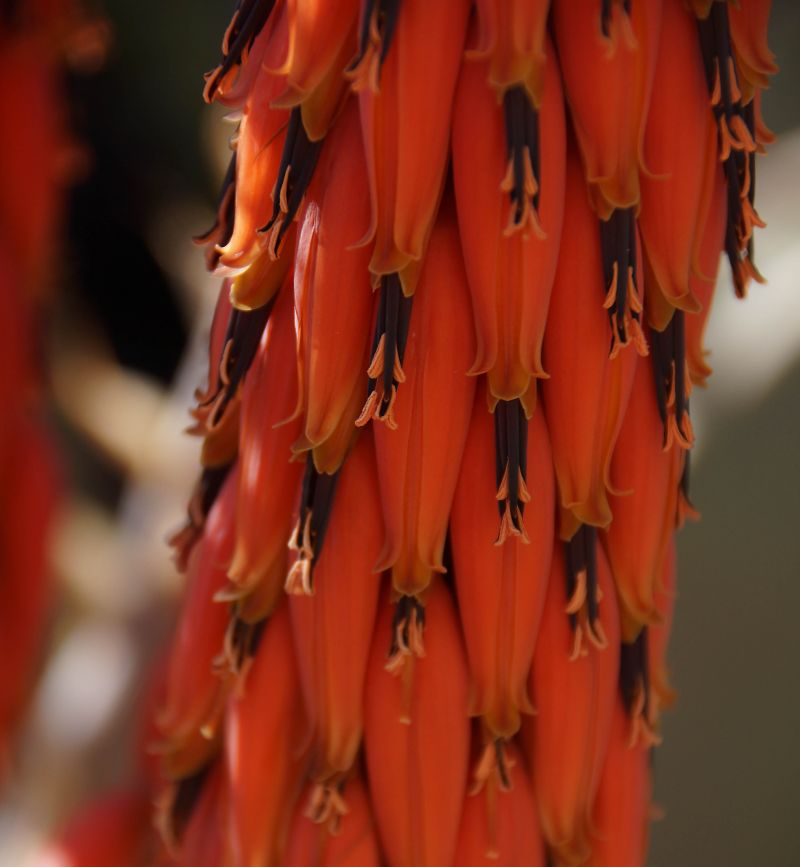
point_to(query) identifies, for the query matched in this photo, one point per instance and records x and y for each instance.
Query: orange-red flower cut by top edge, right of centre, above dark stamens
(607, 50)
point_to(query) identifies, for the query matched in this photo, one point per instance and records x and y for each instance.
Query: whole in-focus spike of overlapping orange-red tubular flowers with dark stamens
(469, 253)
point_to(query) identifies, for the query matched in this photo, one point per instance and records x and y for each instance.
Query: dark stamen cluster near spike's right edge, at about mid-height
(668, 353)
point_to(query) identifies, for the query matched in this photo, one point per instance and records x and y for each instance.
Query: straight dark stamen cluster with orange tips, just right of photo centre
(511, 466)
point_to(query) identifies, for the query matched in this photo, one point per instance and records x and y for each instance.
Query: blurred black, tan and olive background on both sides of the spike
(125, 348)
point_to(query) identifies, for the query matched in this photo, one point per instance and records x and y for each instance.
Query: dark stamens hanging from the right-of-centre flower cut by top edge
(621, 278)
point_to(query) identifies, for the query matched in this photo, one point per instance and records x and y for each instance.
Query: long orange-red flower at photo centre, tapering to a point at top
(418, 463)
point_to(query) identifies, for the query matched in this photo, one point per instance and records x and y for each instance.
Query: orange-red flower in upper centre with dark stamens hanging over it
(505, 156)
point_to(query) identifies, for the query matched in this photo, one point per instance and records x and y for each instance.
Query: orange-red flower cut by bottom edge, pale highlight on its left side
(264, 758)
